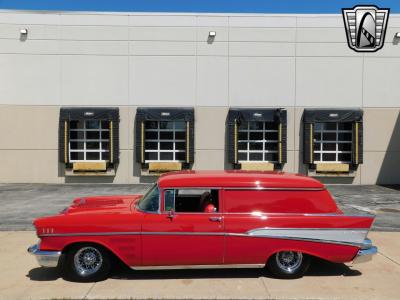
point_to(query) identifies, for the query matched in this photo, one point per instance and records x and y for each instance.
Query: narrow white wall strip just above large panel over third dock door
(261, 49)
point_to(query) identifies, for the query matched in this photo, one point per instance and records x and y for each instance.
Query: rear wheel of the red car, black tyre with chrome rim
(288, 264)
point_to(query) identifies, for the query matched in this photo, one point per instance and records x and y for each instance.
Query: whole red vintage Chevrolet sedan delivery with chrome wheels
(205, 220)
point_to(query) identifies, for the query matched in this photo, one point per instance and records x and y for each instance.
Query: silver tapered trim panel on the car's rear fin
(331, 235)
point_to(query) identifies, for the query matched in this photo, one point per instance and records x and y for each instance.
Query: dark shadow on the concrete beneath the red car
(318, 268)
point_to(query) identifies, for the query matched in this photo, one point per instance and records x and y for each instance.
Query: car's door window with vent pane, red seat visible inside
(192, 201)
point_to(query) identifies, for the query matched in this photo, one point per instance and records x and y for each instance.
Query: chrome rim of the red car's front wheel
(87, 261)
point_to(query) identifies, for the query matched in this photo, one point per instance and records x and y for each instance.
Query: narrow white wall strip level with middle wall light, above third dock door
(259, 34)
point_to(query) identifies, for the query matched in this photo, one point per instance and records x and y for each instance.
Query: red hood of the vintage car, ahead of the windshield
(102, 204)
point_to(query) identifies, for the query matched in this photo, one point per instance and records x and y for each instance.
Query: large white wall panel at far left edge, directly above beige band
(29, 79)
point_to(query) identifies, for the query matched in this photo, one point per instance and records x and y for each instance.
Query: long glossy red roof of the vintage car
(238, 179)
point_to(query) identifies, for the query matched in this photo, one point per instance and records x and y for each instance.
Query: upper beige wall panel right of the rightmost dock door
(381, 129)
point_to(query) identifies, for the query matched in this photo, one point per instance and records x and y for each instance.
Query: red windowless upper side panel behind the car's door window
(269, 201)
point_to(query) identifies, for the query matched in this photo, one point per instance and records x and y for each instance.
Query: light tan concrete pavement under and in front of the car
(21, 278)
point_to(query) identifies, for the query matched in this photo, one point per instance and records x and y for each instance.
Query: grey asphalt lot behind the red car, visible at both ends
(21, 203)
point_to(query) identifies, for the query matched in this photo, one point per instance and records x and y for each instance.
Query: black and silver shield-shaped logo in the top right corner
(365, 27)
